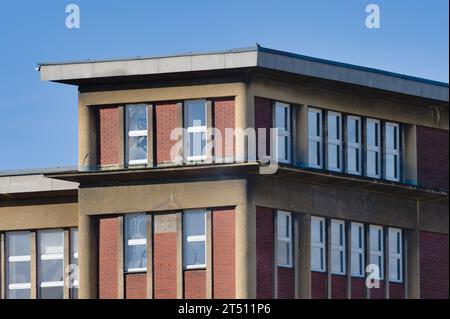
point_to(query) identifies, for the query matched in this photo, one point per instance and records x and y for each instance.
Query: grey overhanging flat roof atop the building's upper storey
(73, 72)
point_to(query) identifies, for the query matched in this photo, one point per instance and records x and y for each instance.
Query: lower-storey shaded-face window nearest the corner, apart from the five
(284, 234)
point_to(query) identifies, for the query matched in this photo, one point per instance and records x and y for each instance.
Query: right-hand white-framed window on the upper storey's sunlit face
(195, 123)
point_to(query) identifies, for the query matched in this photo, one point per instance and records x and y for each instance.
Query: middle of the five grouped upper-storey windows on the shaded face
(354, 145)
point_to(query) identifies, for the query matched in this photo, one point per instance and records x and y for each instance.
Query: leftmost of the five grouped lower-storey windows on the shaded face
(317, 244)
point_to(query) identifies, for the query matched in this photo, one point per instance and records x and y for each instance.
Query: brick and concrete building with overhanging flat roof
(358, 175)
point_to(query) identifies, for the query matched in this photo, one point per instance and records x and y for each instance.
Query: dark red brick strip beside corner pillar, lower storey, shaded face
(264, 253)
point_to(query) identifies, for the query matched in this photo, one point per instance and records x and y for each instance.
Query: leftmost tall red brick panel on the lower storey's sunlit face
(108, 258)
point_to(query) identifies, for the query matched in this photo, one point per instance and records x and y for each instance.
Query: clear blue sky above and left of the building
(38, 120)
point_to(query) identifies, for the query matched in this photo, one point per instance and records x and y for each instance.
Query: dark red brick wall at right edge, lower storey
(433, 266)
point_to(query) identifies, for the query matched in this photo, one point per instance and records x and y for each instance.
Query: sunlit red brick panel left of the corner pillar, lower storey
(223, 233)
